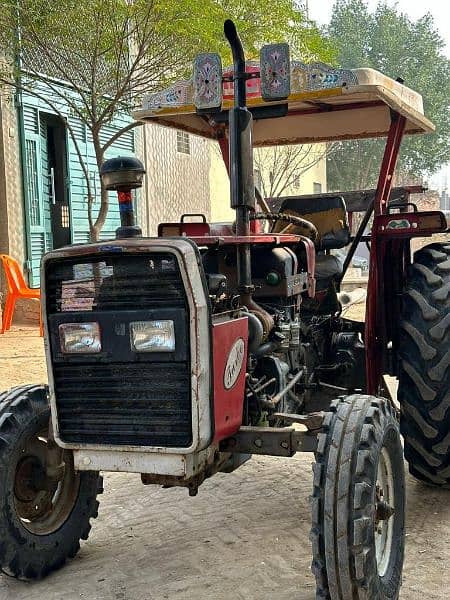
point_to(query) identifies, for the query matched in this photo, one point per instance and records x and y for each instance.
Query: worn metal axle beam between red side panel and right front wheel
(271, 441)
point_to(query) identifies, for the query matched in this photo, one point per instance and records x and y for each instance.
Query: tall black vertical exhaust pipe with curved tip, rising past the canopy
(242, 187)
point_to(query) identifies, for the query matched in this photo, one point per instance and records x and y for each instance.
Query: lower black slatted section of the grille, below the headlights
(142, 405)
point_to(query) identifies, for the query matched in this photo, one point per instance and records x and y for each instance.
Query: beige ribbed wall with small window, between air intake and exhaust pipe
(177, 179)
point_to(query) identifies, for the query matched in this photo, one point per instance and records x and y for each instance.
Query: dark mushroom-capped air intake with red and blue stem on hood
(124, 174)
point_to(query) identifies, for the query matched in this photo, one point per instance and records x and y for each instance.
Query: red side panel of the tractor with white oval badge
(230, 339)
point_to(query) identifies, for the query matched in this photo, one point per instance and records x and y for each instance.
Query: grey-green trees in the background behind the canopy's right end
(390, 42)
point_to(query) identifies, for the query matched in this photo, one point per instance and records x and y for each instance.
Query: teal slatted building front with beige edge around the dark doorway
(20, 237)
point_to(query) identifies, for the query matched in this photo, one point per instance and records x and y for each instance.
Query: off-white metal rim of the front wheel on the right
(384, 512)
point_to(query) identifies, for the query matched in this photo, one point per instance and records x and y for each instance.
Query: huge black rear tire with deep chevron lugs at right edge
(424, 375)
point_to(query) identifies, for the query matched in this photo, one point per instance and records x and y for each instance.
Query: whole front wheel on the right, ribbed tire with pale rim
(358, 503)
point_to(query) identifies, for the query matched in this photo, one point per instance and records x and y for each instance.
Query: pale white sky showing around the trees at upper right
(320, 11)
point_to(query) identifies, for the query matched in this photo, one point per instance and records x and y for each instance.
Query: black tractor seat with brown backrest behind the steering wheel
(327, 213)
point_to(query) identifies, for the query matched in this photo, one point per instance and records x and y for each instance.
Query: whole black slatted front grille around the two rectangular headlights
(120, 397)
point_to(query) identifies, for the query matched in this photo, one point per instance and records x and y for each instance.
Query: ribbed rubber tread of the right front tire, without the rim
(342, 505)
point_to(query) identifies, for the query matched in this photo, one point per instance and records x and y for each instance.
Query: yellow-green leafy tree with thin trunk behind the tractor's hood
(109, 53)
